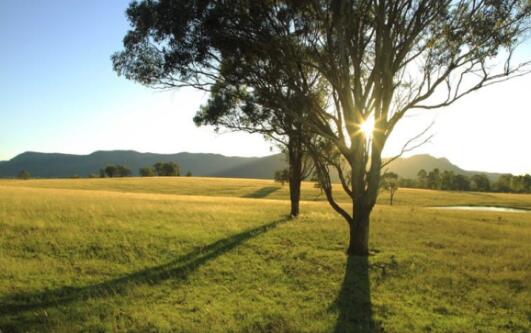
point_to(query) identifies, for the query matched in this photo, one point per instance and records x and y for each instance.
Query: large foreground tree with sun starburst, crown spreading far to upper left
(377, 60)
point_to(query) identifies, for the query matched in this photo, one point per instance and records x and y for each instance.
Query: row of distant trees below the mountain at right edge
(450, 181)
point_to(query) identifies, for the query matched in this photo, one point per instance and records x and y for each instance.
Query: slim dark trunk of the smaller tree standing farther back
(295, 174)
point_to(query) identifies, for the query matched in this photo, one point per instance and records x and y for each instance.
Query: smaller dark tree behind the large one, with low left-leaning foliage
(265, 109)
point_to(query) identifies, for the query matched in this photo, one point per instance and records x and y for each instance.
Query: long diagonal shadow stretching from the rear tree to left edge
(179, 269)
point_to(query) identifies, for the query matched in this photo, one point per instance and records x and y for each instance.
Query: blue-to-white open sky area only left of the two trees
(58, 92)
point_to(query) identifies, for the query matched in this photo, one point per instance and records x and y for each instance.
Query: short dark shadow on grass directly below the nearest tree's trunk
(354, 300)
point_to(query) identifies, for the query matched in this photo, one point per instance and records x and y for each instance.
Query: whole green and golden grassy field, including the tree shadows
(219, 255)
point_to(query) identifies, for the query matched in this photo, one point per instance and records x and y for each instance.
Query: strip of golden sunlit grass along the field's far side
(258, 188)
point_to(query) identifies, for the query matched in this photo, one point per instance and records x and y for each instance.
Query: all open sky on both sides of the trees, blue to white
(58, 93)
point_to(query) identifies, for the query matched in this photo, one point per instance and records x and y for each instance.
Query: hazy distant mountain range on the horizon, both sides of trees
(52, 165)
